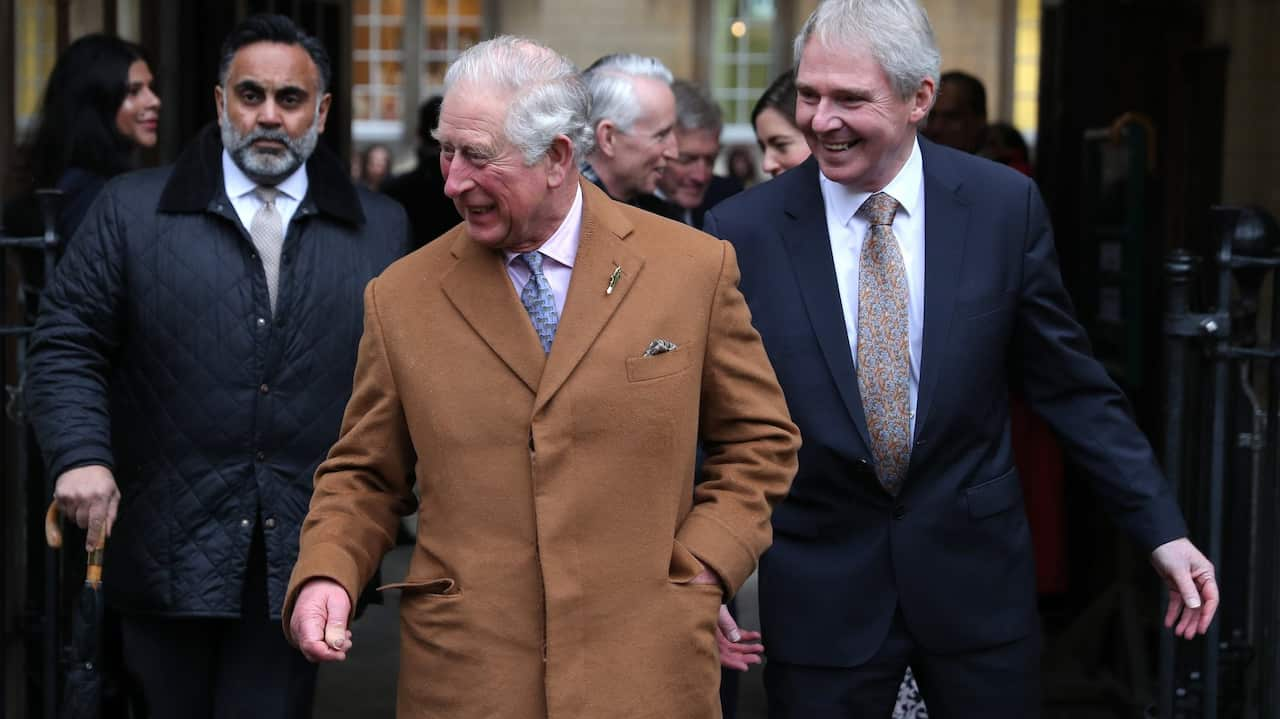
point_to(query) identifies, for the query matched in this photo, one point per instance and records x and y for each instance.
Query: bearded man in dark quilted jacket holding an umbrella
(190, 369)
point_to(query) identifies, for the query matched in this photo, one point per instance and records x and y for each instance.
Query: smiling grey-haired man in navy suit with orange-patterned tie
(903, 290)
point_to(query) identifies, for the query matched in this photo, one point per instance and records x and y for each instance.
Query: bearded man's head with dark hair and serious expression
(271, 111)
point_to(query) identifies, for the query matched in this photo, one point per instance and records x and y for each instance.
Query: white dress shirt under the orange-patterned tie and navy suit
(848, 232)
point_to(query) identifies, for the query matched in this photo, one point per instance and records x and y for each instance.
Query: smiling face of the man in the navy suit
(856, 123)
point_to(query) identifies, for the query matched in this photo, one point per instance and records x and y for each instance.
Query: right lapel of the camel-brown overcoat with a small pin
(588, 308)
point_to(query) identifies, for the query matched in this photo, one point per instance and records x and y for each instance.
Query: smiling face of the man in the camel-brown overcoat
(506, 204)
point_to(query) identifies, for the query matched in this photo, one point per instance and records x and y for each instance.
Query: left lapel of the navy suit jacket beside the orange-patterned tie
(810, 248)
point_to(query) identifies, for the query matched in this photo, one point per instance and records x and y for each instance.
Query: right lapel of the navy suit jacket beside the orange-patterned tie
(947, 223)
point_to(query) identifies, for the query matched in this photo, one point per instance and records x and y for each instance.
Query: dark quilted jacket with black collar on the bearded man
(158, 356)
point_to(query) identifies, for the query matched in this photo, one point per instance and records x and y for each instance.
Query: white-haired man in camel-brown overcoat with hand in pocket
(543, 374)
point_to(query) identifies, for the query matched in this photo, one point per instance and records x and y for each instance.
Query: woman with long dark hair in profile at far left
(99, 109)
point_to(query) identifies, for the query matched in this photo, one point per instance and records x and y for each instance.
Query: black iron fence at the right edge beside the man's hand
(1222, 445)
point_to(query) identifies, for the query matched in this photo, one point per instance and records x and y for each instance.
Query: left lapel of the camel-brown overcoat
(482, 291)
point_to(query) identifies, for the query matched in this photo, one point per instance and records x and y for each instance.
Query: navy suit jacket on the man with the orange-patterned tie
(953, 551)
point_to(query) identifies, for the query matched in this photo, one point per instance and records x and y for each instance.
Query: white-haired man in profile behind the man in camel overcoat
(633, 129)
